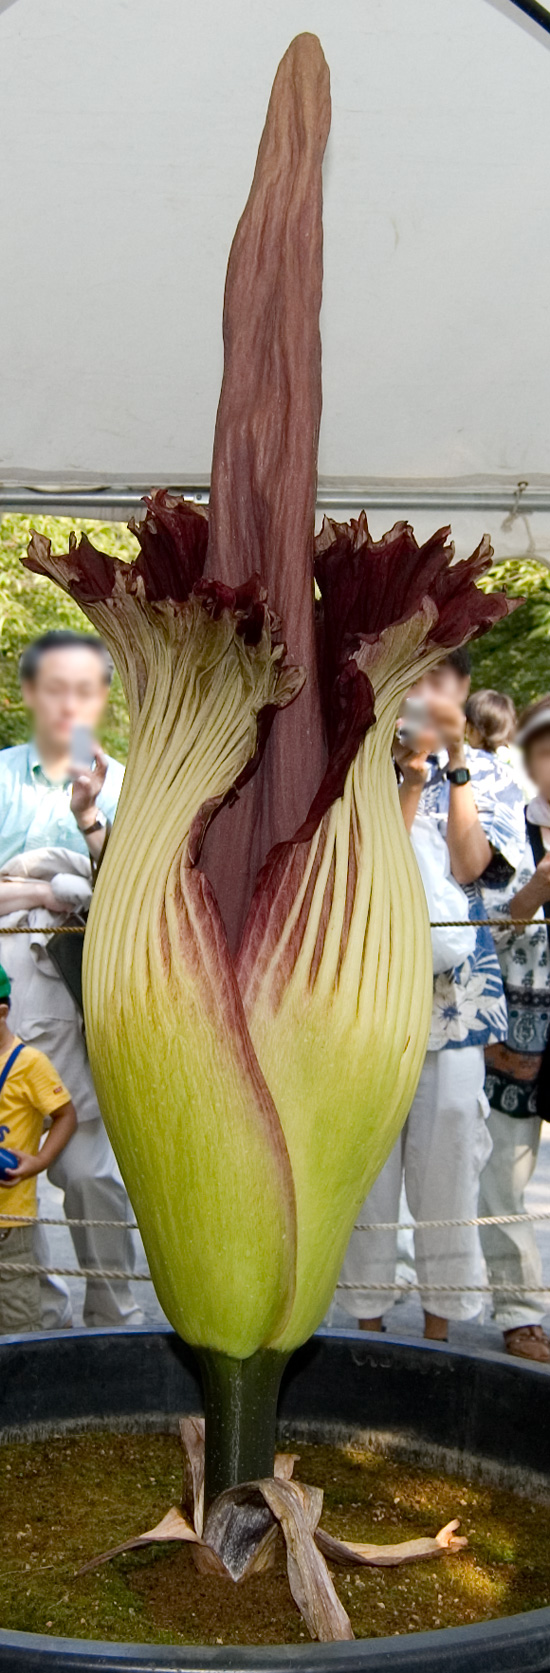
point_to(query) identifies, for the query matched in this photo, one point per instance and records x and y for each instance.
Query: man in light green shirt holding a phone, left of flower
(48, 806)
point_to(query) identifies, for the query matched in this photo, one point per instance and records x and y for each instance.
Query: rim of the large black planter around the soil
(506, 1644)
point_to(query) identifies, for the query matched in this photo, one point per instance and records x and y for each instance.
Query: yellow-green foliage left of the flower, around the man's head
(31, 605)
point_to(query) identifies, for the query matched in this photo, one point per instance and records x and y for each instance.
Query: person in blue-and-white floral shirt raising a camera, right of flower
(477, 811)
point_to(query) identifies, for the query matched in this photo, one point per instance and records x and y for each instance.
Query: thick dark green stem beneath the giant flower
(240, 1410)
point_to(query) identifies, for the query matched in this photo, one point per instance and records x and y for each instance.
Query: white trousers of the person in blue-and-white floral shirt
(441, 1154)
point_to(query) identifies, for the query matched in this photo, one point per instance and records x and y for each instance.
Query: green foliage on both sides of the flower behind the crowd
(514, 657)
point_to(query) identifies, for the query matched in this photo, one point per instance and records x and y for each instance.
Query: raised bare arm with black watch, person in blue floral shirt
(471, 851)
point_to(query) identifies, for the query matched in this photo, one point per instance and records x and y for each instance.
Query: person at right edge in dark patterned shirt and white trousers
(512, 1067)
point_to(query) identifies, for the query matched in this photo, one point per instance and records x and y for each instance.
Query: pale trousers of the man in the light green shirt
(89, 1177)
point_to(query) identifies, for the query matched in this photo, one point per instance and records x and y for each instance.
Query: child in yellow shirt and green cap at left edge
(31, 1093)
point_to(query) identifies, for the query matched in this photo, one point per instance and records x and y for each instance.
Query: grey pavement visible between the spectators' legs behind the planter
(405, 1319)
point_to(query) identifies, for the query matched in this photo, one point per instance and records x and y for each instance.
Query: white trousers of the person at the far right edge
(511, 1252)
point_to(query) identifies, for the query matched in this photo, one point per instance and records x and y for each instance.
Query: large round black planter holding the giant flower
(466, 1410)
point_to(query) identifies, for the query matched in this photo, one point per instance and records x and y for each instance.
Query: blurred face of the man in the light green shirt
(69, 690)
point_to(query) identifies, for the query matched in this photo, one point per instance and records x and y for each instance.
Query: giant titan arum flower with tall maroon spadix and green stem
(258, 975)
